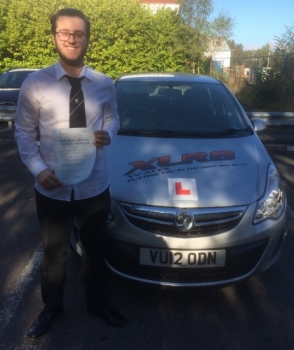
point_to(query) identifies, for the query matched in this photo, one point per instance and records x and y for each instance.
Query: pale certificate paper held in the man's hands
(74, 154)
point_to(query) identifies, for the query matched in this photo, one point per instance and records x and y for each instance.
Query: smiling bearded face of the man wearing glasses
(71, 50)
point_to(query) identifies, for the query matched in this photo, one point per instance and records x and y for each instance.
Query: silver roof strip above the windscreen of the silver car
(168, 76)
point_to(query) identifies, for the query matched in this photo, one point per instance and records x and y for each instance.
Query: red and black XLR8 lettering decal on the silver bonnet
(189, 158)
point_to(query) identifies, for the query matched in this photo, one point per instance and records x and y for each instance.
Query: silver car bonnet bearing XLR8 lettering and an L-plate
(187, 172)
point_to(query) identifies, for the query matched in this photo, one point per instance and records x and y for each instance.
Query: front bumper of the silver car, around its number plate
(249, 251)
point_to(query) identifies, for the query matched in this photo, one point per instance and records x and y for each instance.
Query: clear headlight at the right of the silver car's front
(272, 203)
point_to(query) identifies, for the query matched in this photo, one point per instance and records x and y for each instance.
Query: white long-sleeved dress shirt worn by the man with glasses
(44, 103)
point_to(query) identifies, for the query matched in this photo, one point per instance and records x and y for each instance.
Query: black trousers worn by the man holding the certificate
(56, 219)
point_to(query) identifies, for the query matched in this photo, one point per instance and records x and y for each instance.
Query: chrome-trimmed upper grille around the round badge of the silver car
(161, 220)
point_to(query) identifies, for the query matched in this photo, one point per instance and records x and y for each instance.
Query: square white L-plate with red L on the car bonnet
(183, 189)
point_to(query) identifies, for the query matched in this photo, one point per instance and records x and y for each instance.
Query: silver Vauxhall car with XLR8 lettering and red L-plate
(196, 199)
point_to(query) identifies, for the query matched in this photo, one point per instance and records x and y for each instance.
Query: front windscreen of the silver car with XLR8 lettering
(177, 107)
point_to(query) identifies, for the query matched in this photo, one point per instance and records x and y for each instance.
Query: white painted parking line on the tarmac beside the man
(15, 296)
